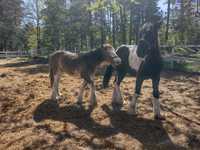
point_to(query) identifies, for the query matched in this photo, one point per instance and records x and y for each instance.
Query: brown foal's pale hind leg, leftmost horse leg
(55, 90)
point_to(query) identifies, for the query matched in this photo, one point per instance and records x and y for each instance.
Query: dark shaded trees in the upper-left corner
(10, 18)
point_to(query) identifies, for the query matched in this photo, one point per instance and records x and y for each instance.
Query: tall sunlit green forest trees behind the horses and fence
(86, 24)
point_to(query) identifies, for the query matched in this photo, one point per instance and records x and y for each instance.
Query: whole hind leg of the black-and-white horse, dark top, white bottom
(117, 97)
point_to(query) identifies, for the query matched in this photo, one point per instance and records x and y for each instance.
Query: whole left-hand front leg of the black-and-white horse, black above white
(132, 109)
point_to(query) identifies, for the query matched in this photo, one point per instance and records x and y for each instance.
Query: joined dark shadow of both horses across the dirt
(150, 133)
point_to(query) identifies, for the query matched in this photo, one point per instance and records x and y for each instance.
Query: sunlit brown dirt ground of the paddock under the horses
(30, 120)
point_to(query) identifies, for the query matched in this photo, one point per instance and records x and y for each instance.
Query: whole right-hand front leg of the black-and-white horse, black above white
(156, 95)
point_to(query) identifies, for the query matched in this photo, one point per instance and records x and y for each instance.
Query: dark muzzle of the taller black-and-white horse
(142, 48)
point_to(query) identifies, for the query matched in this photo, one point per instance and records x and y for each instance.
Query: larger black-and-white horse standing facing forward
(145, 60)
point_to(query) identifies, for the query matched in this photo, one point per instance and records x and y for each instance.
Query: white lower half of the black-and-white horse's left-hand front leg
(132, 109)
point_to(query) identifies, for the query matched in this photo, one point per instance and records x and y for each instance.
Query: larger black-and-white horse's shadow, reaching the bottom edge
(150, 133)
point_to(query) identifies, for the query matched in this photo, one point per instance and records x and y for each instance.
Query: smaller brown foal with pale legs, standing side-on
(83, 64)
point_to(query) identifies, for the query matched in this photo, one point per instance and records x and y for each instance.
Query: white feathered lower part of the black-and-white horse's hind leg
(117, 97)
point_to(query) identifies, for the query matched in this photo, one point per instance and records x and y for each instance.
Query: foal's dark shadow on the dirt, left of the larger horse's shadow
(49, 109)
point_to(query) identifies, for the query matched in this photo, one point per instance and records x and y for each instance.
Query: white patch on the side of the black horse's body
(134, 60)
